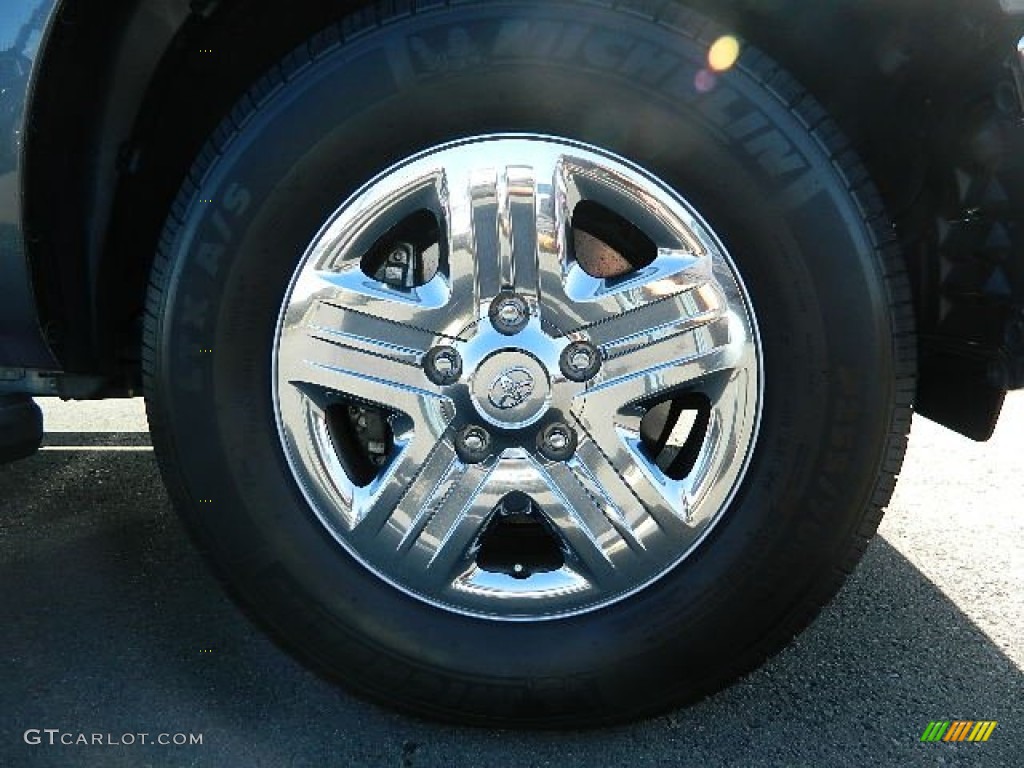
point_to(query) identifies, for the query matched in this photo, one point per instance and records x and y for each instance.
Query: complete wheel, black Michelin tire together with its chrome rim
(807, 285)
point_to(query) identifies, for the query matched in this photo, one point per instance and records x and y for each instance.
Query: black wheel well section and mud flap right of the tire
(931, 94)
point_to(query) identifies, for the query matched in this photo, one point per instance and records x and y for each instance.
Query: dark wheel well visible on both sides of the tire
(916, 84)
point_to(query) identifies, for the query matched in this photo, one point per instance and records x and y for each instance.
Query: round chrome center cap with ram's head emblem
(511, 389)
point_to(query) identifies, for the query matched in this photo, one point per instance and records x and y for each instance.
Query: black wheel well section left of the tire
(104, 160)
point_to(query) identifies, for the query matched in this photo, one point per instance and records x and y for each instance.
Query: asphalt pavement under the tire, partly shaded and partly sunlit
(113, 627)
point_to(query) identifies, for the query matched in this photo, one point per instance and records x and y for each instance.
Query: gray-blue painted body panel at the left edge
(23, 28)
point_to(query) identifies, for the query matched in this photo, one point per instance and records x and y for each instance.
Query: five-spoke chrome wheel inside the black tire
(616, 518)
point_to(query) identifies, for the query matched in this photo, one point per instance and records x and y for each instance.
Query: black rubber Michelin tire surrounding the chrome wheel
(764, 166)
